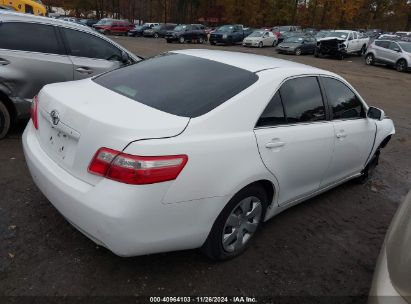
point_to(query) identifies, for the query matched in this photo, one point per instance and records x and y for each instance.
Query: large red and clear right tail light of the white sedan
(136, 170)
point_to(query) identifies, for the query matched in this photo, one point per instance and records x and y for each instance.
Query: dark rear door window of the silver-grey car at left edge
(37, 38)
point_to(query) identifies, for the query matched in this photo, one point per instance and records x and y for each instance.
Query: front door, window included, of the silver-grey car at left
(90, 54)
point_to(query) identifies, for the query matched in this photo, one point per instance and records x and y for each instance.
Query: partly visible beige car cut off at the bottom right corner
(392, 275)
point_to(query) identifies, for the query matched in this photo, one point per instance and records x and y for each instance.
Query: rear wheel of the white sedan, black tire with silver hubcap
(232, 223)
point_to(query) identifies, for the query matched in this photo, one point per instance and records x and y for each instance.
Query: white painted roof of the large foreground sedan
(246, 61)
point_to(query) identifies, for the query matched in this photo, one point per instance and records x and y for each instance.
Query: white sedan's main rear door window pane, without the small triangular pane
(302, 100)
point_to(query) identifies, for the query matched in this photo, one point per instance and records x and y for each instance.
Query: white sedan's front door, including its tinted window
(354, 133)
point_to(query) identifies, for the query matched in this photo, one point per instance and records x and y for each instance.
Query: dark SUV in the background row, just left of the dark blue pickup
(186, 32)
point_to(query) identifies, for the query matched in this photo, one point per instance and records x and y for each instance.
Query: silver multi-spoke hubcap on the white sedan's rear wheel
(241, 224)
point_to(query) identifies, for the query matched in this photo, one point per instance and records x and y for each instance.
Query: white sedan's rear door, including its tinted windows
(295, 139)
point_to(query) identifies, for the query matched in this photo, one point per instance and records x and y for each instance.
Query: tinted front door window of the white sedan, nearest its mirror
(343, 102)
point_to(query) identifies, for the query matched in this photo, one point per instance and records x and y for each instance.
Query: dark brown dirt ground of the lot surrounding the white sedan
(326, 246)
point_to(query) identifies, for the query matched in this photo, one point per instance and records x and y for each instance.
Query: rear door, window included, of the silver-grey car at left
(31, 56)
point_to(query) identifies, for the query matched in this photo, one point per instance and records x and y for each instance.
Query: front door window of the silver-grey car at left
(81, 44)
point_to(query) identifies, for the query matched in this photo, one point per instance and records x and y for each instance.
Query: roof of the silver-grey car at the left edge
(14, 16)
